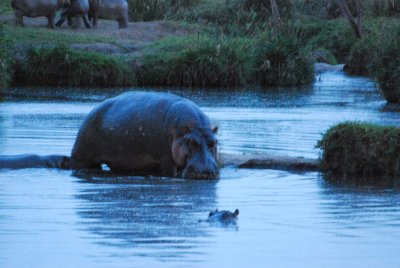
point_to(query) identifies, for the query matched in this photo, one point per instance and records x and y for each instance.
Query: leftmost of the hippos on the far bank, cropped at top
(37, 8)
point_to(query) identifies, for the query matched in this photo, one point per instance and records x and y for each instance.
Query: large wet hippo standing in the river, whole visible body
(148, 133)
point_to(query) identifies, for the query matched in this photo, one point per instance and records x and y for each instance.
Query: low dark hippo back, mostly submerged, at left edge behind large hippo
(33, 161)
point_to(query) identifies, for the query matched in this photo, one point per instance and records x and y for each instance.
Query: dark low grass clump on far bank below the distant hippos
(62, 66)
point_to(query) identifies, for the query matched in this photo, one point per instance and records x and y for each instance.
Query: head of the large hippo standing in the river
(195, 152)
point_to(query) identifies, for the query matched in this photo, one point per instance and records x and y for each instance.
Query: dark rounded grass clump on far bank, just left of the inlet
(283, 60)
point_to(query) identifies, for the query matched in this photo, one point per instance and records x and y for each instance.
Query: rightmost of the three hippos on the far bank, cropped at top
(109, 9)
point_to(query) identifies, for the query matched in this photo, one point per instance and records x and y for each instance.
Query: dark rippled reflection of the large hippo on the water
(136, 211)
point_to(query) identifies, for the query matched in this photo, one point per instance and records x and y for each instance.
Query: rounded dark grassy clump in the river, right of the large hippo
(360, 149)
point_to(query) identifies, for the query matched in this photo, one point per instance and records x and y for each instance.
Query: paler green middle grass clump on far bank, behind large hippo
(197, 61)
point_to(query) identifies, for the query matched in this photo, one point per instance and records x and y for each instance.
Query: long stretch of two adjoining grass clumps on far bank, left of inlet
(209, 61)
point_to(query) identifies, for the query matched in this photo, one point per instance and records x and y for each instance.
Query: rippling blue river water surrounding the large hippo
(58, 218)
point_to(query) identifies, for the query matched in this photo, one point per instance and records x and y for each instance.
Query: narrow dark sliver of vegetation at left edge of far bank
(6, 59)
